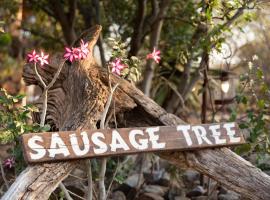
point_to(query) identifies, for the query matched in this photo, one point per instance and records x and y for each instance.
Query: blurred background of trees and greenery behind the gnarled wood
(214, 65)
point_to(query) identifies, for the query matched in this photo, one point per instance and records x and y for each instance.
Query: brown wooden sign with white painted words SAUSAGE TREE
(66, 145)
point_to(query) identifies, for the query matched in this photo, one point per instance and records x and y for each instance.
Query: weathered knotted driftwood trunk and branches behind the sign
(77, 101)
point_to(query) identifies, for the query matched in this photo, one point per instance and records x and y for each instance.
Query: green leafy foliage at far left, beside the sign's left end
(15, 120)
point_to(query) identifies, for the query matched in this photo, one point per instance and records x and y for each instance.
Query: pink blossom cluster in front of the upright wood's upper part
(77, 53)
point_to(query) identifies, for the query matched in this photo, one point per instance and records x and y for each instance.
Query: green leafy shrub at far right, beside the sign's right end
(255, 97)
